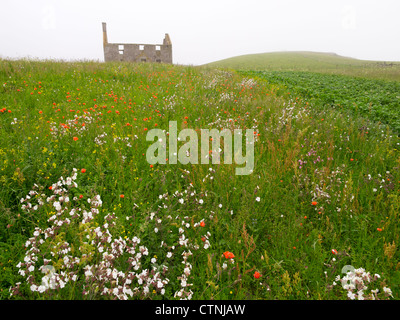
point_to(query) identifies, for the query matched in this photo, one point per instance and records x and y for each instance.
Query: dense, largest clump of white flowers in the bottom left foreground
(94, 258)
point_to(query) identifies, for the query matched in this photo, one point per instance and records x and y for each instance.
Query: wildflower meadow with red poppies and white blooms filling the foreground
(84, 216)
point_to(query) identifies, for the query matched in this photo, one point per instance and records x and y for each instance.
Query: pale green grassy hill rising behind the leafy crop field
(313, 62)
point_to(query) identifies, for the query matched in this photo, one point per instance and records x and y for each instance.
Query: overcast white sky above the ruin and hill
(201, 31)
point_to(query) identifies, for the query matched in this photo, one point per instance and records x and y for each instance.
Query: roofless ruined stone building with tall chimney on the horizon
(161, 53)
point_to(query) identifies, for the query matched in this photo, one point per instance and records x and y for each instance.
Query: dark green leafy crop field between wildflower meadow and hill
(377, 100)
